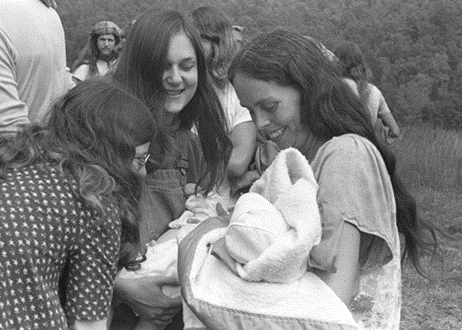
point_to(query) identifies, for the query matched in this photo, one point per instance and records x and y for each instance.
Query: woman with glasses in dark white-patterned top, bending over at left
(69, 207)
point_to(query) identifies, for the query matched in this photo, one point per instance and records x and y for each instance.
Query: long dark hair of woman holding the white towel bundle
(330, 109)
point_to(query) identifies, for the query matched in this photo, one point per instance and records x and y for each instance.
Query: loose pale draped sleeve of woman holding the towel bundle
(354, 187)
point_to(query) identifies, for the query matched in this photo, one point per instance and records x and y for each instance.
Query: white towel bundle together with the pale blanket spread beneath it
(269, 238)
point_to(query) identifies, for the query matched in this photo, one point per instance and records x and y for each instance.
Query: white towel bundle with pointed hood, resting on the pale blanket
(275, 225)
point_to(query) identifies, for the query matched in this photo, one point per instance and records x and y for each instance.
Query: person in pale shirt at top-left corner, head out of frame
(33, 71)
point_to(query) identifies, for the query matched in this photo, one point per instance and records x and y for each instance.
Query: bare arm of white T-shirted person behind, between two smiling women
(243, 138)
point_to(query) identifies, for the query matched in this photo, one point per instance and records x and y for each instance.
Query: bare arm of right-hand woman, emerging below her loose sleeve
(345, 282)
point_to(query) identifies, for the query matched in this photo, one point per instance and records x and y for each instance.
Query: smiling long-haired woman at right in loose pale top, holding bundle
(298, 99)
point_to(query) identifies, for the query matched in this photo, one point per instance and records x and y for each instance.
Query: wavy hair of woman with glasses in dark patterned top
(91, 134)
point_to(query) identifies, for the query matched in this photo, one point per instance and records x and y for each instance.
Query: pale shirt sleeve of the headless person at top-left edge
(13, 111)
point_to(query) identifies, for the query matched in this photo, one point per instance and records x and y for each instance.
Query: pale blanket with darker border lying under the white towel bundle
(223, 300)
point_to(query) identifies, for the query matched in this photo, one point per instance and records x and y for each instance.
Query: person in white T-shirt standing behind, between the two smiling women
(220, 46)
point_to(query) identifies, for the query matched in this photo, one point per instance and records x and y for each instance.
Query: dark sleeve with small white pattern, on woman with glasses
(93, 266)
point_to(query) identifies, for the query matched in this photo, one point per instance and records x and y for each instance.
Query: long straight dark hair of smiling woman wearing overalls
(141, 68)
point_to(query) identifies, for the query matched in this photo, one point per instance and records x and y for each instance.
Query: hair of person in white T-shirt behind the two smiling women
(216, 27)
